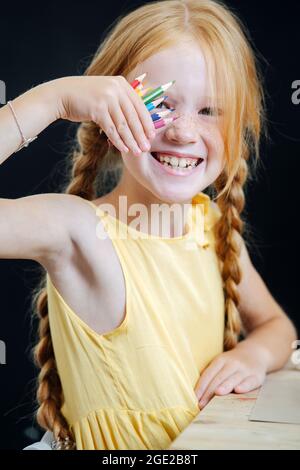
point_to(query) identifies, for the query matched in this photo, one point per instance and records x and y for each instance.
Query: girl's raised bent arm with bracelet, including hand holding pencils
(39, 227)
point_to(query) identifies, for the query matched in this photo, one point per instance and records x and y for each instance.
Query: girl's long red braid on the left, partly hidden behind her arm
(86, 158)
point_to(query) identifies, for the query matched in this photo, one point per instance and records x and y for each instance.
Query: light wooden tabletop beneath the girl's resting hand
(224, 424)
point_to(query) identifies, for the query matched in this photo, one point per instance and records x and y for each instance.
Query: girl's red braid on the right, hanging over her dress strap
(228, 248)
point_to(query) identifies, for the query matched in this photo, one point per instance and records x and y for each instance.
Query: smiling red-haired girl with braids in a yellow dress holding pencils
(139, 330)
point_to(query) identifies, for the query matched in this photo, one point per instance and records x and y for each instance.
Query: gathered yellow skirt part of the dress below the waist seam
(122, 429)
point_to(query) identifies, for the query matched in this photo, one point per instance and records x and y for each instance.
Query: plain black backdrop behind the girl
(40, 42)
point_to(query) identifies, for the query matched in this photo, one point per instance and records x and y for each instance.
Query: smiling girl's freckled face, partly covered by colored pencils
(195, 132)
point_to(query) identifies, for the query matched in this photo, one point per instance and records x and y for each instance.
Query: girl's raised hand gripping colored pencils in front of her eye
(110, 102)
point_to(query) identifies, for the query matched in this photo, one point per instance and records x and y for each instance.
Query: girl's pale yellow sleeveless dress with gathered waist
(133, 387)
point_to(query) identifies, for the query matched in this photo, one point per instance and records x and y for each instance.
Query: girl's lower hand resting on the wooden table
(238, 370)
